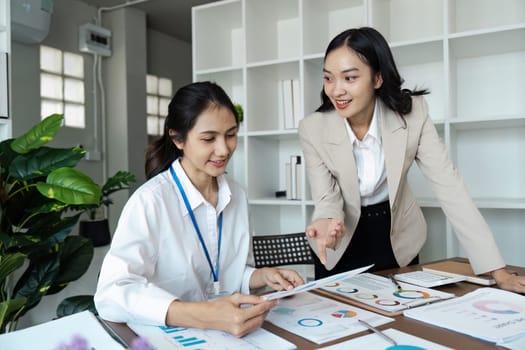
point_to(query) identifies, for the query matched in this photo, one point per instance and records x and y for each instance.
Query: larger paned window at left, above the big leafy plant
(62, 86)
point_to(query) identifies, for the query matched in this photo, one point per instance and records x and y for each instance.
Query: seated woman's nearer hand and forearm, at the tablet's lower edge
(237, 314)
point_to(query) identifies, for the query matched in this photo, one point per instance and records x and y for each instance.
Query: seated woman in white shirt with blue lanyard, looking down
(181, 254)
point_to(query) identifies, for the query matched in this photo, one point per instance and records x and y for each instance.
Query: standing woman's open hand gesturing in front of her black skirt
(327, 234)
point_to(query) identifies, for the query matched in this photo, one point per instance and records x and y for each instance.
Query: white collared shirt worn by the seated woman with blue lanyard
(156, 256)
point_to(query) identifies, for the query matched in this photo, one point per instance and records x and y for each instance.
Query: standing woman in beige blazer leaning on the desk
(359, 146)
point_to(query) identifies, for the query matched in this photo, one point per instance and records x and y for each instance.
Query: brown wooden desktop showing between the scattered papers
(436, 334)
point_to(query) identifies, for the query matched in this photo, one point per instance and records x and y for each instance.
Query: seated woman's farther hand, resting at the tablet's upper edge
(275, 278)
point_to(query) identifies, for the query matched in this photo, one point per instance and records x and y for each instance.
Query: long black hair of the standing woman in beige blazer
(374, 51)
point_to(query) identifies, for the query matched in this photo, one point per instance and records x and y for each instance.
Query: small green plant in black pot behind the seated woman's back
(96, 228)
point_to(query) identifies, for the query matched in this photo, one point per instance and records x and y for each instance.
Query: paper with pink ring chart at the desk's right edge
(487, 313)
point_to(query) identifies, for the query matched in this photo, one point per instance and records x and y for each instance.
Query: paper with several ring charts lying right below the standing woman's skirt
(380, 294)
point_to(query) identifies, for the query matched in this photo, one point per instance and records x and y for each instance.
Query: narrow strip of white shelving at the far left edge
(5, 47)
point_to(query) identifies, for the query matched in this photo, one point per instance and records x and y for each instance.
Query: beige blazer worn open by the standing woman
(332, 174)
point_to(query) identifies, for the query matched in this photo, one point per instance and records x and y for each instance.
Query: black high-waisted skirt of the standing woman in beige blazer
(370, 244)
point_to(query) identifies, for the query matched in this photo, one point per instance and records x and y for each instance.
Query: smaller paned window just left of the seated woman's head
(159, 92)
